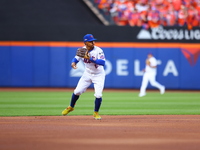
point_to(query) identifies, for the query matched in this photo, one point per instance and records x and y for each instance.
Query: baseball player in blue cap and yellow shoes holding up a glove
(94, 60)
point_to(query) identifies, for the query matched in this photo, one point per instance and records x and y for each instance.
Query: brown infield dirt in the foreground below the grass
(139, 132)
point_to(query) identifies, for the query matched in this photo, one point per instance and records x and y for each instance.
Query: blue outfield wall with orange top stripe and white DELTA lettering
(48, 65)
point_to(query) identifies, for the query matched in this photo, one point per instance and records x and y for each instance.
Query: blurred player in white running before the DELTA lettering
(150, 72)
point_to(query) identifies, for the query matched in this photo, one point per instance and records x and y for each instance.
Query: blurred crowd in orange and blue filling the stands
(152, 13)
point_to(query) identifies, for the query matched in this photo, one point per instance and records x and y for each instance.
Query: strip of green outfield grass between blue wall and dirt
(114, 103)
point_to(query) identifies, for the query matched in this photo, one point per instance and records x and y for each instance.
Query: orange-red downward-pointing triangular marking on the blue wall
(191, 54)
